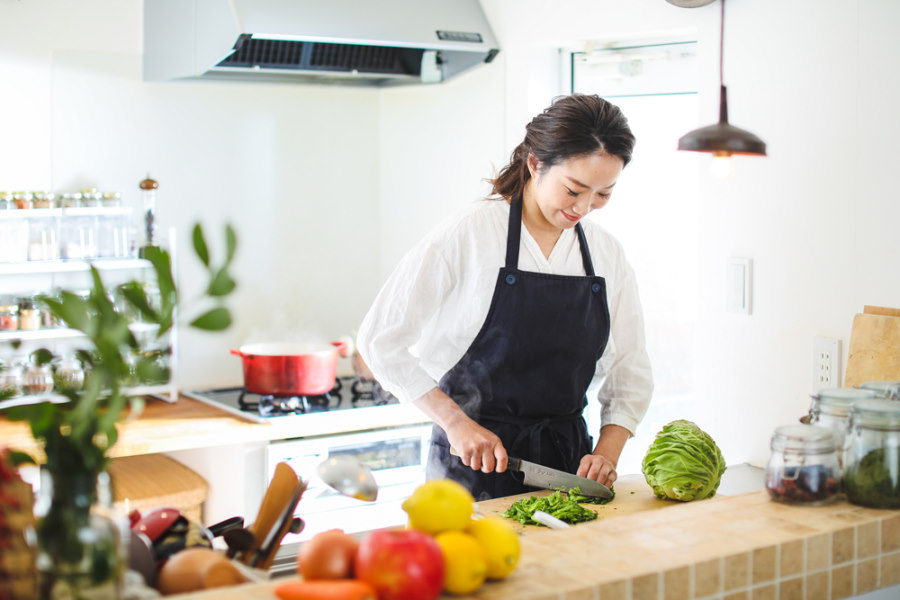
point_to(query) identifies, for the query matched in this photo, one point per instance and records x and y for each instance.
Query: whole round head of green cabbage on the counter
(683, 463)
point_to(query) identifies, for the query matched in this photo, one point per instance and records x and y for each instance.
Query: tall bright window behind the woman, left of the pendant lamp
(654, 213)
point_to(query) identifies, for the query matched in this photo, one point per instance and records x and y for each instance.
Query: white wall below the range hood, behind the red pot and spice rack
(294, 168)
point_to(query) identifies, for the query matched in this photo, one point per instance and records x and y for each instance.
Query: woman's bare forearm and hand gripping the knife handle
(478, 447)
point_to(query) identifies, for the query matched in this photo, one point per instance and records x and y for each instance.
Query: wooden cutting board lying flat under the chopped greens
(632, 495)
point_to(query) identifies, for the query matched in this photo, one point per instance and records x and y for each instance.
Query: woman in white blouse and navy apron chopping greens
(496, 323)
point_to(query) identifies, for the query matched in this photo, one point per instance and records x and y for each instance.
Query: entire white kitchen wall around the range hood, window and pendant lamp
(328, 186)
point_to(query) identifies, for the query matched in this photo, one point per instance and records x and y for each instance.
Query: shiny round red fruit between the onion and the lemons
(401, 564)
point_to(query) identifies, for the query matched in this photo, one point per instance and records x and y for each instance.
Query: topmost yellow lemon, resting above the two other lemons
(439, 505)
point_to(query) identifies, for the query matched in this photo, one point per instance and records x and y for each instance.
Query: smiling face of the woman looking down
(568, 191)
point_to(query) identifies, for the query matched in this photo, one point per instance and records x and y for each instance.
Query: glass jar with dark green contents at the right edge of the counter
(872, 471)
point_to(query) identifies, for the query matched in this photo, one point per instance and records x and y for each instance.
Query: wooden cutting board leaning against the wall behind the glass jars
(874, 353)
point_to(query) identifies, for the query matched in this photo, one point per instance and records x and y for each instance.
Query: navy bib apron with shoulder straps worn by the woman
(526, 373)
